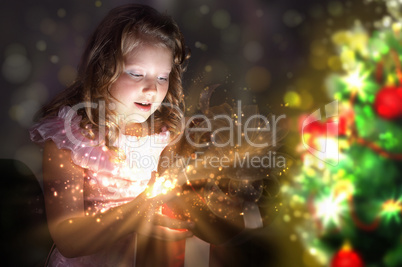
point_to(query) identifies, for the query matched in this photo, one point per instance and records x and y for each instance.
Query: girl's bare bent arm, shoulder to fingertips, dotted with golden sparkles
(76, 233)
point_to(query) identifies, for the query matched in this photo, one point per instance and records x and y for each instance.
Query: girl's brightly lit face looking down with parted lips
(144, 83)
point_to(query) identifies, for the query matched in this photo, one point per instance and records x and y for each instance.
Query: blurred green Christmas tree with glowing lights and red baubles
(349, 184)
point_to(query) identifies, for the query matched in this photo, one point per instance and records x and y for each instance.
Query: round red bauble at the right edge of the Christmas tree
(388, 103)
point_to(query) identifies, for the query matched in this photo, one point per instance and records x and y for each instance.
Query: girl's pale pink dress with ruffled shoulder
(108, 182)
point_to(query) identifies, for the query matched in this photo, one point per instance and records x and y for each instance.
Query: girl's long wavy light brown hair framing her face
(122, 30)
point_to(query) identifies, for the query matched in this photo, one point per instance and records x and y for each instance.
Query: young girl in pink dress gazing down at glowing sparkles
(102, 137)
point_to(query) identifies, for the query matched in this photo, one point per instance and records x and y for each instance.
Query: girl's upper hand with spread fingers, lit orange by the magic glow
(154, 223)
